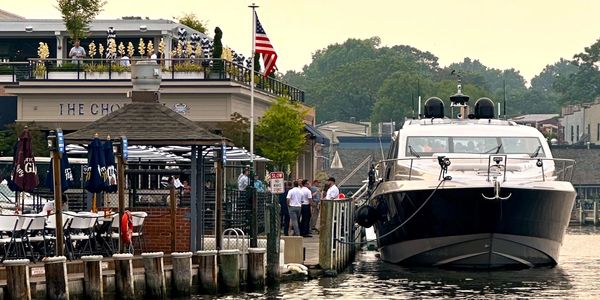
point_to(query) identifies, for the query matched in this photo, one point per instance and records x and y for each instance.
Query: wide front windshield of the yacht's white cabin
(428, 145)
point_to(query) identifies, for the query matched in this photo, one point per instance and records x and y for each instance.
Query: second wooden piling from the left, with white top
(57, 283)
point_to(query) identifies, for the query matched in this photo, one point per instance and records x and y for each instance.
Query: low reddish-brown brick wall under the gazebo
(157, 229)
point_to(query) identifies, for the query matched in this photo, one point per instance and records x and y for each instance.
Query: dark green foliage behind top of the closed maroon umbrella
(8, 138)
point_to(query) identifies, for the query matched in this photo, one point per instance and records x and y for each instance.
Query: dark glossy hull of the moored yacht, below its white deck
(460, 228)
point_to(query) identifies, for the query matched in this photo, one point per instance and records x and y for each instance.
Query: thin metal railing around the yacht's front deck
(492, 166)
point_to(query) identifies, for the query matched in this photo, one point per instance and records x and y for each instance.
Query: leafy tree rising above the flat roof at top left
(78, 14)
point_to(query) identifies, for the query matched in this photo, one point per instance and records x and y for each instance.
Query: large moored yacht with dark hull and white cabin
(474, 192)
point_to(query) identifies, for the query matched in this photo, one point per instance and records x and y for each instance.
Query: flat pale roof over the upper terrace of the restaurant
(121, 26)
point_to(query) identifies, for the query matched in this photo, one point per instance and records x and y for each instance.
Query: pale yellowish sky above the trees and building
(524, 34)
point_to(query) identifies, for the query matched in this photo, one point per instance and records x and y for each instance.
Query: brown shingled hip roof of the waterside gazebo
(145, 123)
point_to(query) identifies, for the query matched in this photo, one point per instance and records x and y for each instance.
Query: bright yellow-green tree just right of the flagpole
(280, 133)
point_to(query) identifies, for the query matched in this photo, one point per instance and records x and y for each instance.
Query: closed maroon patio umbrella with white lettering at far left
(24, 173)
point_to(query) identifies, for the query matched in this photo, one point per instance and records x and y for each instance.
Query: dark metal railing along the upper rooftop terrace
(184, 69)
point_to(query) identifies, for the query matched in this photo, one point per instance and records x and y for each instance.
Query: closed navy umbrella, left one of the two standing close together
(96, 168)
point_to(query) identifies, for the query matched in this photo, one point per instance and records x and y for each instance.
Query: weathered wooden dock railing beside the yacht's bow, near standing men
(338, 237)
